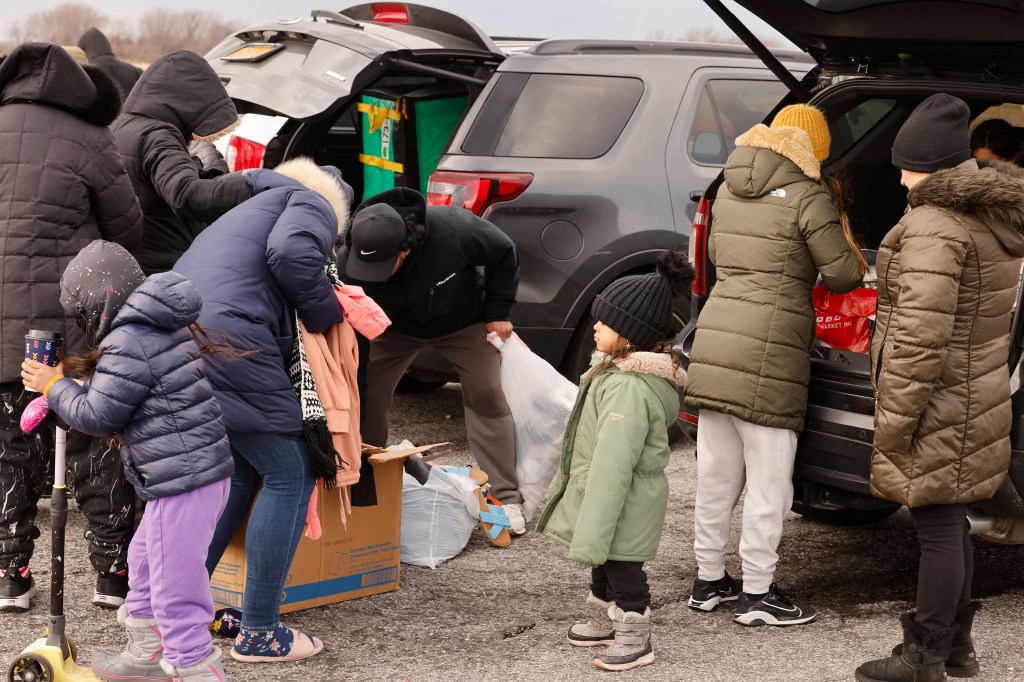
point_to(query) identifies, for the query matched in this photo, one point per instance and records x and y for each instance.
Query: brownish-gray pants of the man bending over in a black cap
(489, 422)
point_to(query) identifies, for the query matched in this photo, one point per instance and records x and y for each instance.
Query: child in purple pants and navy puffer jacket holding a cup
(149, 393)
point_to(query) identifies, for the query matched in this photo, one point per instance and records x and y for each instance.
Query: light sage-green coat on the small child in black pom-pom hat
(610, 496)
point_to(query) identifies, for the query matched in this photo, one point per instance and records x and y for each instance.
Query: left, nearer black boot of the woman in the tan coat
(922, 659)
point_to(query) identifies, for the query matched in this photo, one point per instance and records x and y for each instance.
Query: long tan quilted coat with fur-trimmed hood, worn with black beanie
(948, 280)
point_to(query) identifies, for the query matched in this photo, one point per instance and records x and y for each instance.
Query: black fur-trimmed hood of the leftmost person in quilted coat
(47, 74)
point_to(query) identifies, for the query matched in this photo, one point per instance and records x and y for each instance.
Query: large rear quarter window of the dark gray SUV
(556, 116)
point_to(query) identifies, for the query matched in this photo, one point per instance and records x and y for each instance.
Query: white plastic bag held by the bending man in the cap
(541, 401)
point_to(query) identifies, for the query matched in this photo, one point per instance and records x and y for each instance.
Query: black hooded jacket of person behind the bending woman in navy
(180, 98)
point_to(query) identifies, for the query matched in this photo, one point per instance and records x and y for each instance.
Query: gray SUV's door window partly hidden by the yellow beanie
(729, 108)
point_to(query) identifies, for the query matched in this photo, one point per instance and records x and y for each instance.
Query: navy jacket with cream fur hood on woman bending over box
(255, 267)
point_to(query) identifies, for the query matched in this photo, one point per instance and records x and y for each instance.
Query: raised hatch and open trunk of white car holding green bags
(375, 90)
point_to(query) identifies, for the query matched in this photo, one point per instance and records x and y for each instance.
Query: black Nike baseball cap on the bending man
(378, 233)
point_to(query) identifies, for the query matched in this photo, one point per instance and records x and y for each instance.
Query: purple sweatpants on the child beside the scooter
(167, 571)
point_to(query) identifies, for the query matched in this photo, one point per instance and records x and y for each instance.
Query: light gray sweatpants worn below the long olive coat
(732, 453)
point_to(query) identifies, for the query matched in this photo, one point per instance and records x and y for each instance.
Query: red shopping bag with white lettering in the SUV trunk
(844, 321)
